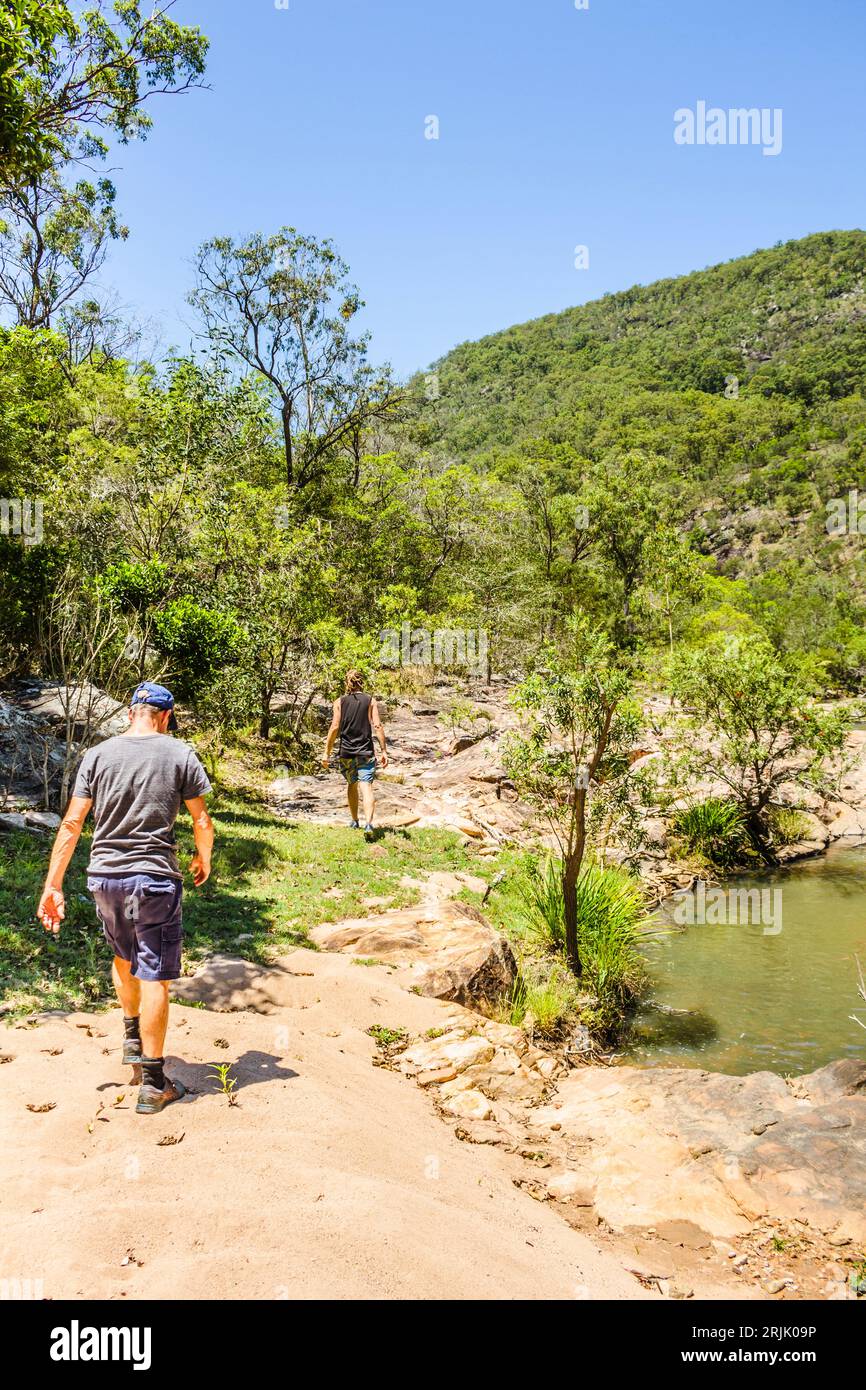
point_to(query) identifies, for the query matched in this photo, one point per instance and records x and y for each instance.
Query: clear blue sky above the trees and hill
(557, 130)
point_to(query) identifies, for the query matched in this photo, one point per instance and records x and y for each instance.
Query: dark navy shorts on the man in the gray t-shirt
(141, 917)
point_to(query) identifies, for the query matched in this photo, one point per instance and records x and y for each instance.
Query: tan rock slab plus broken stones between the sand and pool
(690, 1157)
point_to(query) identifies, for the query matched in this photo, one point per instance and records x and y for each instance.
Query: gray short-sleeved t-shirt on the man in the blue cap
(137, 783)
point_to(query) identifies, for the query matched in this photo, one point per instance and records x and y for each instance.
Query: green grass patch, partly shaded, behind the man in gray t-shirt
(265, 896)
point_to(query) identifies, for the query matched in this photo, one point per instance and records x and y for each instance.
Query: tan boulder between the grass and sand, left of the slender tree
(447, 949)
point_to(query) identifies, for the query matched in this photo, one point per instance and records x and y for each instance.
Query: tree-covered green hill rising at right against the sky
(735, 395)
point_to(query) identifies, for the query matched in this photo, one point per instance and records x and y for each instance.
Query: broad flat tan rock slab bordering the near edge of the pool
(673, 1149)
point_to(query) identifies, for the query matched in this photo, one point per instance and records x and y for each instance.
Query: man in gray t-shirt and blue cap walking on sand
(136, 786)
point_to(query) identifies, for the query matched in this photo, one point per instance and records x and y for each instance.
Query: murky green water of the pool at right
(761, 1000)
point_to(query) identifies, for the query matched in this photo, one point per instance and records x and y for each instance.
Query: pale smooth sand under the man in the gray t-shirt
(329, 1179)
